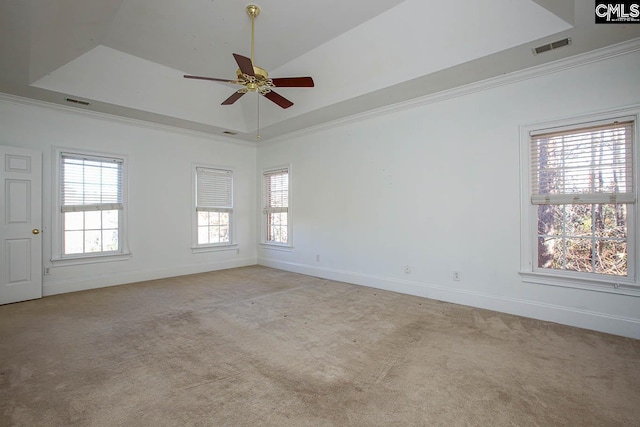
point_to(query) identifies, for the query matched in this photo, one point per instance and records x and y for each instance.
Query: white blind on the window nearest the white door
(90, 183)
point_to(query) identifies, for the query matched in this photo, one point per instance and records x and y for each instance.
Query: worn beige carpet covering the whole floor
(261, 347)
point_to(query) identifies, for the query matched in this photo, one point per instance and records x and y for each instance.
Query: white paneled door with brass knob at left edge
(20, 225)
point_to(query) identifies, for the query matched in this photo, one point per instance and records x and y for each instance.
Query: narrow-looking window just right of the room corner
(276, 207)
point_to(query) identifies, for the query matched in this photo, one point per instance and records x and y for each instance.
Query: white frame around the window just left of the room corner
(211, 247)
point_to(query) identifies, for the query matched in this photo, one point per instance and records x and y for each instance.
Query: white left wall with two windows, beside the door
(160, 166)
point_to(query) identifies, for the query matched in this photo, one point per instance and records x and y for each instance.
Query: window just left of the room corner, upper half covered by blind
(214, 206)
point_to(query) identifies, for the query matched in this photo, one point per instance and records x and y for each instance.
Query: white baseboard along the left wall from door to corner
(101, 281)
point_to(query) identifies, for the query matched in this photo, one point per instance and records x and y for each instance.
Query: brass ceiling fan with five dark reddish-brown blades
(256, 79)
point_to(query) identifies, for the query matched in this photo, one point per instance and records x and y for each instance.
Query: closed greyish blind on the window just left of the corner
(214, 190)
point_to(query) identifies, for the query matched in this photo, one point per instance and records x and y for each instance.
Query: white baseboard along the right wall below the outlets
(617, 325)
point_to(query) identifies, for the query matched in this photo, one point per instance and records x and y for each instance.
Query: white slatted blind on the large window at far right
(588, 165)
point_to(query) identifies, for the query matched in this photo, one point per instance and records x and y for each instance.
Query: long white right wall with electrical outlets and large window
(436, 187)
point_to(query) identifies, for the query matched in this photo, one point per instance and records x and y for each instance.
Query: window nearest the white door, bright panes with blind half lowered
(91, 205)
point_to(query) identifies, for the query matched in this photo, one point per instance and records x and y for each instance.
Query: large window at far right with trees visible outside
(581, 202)
